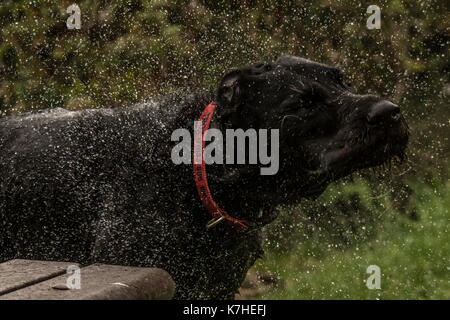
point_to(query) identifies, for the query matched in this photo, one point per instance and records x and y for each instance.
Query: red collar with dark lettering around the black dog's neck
(201, 181)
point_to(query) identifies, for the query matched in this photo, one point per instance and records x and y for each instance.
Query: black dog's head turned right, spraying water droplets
(326, 131)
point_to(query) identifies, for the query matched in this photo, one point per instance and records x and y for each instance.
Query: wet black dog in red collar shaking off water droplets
(100, 185)
